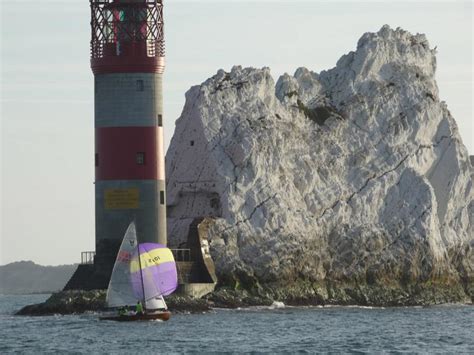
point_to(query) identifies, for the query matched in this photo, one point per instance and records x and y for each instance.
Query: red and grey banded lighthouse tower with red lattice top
(127, 59)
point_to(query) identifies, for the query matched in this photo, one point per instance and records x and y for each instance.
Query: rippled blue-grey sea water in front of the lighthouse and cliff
(439, 329)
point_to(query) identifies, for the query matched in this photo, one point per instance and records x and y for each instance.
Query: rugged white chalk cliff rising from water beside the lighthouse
(349, 185)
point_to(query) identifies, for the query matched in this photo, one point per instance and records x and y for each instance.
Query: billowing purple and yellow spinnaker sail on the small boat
(155, 273)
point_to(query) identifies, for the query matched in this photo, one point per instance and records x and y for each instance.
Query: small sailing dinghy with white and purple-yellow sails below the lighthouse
(142, 273)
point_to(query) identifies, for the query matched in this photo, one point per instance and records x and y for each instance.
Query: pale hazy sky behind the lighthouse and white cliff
(46, 95)
